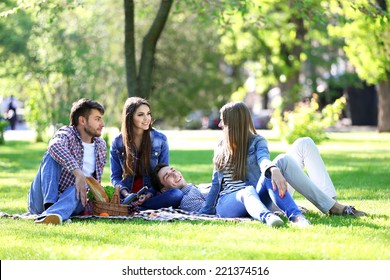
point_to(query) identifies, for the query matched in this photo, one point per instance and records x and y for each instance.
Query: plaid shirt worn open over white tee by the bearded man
(67, 149)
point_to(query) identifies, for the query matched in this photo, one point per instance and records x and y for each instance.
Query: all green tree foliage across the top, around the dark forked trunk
(66, 49)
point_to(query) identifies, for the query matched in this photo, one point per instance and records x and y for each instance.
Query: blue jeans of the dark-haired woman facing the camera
(171, 198)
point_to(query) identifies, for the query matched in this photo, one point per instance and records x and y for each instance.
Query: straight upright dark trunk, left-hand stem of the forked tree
(131, 65)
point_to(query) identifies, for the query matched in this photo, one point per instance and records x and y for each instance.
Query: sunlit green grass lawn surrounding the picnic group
(359, 164)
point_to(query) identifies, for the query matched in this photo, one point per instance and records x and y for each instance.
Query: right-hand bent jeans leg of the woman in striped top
(268, 196)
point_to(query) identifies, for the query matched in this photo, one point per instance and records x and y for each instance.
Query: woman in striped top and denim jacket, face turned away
(233, 180)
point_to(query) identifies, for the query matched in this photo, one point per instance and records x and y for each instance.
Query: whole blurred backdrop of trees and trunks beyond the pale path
(325, 63)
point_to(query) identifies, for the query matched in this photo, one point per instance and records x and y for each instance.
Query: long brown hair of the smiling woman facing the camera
(131, 105)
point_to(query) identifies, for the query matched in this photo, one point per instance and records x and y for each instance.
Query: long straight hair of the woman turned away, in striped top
(233, 149)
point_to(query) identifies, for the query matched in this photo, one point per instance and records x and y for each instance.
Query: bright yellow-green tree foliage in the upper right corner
(279, 37)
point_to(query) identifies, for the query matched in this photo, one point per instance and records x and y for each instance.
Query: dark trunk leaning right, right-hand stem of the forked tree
(149, 48)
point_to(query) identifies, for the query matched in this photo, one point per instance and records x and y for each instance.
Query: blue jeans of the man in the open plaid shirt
(44, 189)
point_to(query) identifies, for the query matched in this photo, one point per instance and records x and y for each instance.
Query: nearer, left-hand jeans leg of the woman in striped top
(241, 203)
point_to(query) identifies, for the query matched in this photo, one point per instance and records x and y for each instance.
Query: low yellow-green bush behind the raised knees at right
(306, 120)
